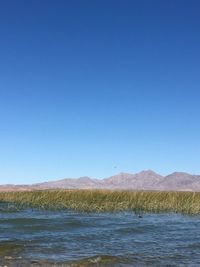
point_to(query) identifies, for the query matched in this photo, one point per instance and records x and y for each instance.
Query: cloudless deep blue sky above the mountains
(98, 87)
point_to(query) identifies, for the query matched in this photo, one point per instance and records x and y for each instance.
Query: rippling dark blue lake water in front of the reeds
(67, 238)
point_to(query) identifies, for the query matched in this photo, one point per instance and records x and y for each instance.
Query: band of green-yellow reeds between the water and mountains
(105, 201)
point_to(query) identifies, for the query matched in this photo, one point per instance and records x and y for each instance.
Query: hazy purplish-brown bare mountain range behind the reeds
(144, 180)
